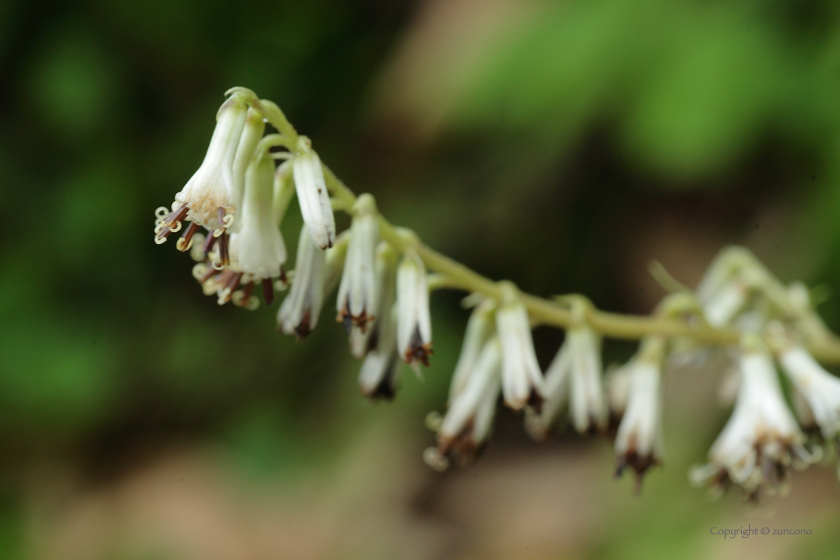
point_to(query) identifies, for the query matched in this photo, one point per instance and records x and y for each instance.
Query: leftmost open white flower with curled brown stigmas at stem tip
(209, 197)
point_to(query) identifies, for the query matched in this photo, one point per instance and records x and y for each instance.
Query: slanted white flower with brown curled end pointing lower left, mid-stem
(467, 422)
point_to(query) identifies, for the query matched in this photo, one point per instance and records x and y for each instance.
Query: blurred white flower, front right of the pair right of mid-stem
(587, 403)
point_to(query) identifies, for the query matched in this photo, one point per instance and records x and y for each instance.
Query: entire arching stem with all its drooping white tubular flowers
(243, 189)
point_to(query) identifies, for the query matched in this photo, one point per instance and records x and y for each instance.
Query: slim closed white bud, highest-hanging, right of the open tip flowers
(312, 193)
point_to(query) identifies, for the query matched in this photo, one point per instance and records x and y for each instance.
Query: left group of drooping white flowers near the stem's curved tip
(240, 196)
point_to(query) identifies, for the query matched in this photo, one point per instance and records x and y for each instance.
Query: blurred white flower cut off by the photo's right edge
(819, 389)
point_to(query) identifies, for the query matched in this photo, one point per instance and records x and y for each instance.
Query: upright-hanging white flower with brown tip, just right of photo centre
(522, 380)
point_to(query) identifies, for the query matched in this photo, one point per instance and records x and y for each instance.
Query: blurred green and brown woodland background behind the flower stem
(562, 145)
